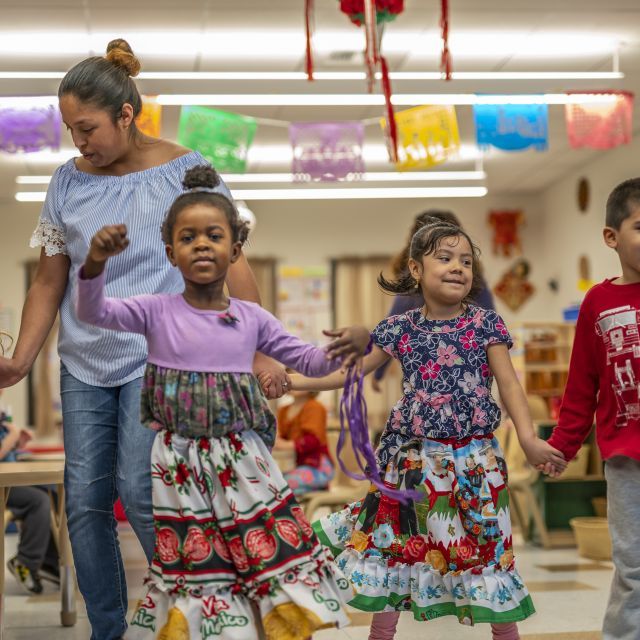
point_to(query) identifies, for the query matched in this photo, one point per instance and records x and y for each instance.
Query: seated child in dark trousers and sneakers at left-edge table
(37, 556)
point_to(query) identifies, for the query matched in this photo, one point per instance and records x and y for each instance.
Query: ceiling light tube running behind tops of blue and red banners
(364, 99)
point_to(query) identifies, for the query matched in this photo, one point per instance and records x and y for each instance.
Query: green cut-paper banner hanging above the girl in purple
(222, 138)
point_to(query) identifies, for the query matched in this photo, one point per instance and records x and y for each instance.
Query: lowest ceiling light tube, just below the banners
(346, 193)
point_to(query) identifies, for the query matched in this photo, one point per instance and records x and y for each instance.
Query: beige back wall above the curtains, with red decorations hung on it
(309, 233)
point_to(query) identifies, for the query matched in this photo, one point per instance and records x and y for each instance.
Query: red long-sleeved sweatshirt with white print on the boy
(604, 375)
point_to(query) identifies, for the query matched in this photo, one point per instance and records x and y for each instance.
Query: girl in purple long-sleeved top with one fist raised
(230, 536)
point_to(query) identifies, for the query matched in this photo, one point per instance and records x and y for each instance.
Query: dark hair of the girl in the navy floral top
(424, 242)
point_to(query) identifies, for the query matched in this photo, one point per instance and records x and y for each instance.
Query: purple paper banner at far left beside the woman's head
(30, 129)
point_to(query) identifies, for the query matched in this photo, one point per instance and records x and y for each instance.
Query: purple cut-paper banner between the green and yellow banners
(327, 151)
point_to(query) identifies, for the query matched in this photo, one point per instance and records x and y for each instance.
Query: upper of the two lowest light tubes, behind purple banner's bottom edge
(373, 176)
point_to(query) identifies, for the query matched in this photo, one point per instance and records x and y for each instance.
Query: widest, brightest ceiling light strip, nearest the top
(225, 43)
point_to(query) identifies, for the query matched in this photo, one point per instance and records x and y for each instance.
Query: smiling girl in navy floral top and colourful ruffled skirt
(449, 550)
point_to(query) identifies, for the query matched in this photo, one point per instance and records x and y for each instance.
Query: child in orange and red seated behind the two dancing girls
(302, 427)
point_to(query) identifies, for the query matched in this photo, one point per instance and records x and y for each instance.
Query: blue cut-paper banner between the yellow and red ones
(512, 127)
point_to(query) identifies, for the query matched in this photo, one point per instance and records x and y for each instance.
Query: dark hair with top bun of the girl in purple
(198, 182)
